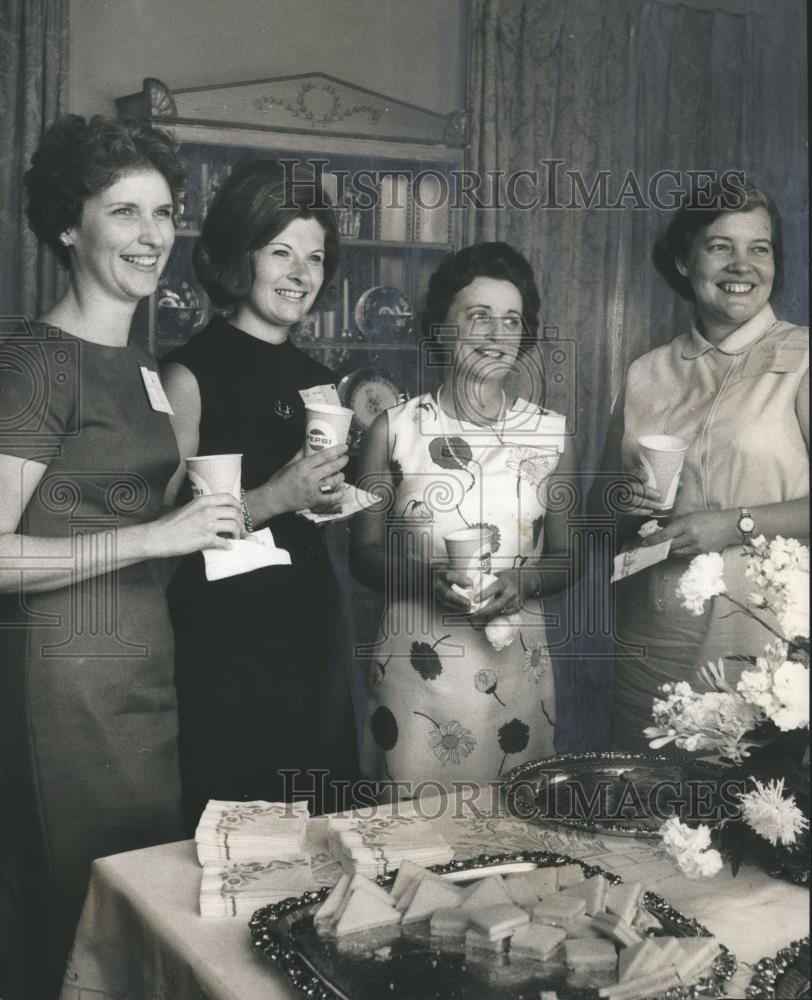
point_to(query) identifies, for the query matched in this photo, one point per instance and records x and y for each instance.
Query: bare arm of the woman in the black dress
(294, 487)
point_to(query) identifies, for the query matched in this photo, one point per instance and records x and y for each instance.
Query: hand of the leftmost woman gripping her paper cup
(201, 524)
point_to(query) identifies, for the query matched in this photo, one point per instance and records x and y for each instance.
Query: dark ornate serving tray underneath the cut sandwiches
(406, 966)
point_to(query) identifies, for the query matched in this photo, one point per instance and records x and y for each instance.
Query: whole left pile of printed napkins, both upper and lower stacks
(253, 854)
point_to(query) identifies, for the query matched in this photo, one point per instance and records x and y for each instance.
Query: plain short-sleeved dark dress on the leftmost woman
(88, 724)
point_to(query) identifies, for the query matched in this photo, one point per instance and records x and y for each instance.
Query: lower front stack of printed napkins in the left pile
(240, 888)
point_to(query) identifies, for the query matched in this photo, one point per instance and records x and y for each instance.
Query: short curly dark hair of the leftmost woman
(77, 159)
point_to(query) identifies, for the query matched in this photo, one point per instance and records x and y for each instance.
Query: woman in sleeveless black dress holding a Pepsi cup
(261, 668)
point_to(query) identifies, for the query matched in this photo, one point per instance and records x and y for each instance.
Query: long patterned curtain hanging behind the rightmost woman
(610, 94)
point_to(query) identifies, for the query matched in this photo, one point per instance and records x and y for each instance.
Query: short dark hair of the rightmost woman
(695, 215)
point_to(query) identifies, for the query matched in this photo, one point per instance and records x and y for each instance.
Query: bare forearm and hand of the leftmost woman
(49, 563)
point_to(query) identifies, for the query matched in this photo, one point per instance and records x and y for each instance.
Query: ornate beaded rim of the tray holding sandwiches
(307, 979)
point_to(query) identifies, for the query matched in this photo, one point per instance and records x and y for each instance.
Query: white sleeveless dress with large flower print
(445, 705)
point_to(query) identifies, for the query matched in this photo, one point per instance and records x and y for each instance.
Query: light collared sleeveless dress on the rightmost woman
(735, 404)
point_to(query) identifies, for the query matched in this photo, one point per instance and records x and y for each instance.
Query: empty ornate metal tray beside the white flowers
(625, 794)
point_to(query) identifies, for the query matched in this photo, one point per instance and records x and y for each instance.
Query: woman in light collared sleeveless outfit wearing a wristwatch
(735, 387)
